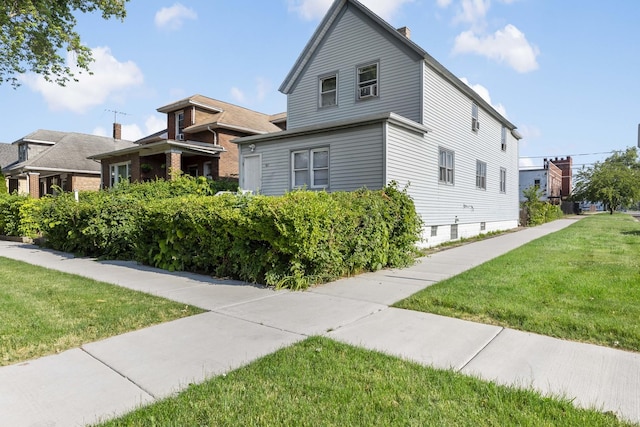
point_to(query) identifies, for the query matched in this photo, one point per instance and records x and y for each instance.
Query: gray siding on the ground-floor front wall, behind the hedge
(355, 159)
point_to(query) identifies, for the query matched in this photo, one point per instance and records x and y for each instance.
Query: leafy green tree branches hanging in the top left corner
(33, 34)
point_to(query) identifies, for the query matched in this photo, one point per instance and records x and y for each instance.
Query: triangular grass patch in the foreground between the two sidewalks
(320, 382)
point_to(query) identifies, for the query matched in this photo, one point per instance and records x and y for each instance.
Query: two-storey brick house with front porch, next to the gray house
(196, 142)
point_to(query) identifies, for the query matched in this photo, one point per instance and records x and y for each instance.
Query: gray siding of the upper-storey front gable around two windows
(350, 43)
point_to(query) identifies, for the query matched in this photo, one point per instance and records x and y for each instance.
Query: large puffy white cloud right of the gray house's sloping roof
(507, 45)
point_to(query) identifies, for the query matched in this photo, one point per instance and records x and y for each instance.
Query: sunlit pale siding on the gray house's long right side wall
(447, 111)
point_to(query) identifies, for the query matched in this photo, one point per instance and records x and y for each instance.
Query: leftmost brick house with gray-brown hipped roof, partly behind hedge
(49, 159)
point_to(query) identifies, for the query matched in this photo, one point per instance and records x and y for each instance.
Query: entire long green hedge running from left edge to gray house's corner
(292, 241)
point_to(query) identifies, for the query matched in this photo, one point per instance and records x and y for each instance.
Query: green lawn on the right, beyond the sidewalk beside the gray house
(581, 283)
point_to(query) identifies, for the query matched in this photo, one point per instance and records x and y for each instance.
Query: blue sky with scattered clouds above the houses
(566, 73)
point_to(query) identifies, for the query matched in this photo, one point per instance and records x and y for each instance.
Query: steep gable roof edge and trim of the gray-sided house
(334, 13)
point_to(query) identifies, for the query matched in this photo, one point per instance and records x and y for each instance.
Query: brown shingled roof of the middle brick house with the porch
(225, 115)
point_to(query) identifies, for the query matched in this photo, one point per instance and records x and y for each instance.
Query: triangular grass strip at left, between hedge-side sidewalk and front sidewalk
(46, 311)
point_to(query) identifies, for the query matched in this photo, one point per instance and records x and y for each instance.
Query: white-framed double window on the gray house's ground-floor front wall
(310, 168)
